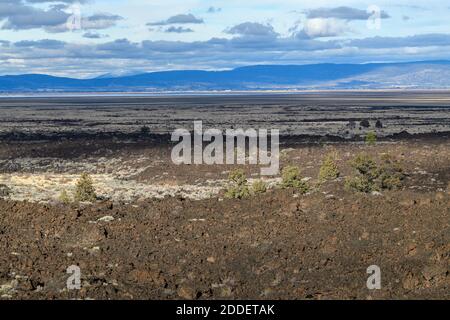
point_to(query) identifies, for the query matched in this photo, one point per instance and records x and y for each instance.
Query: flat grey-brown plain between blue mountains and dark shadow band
(293, 114)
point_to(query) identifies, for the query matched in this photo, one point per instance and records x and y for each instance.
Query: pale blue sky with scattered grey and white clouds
(89, 38)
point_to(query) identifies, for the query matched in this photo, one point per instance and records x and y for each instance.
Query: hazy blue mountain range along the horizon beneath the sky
(416, 75)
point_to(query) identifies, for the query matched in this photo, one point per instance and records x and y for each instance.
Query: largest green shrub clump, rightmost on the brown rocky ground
(373, 177)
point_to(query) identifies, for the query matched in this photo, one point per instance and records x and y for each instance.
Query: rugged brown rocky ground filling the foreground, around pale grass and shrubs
(277, 245)
